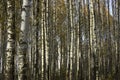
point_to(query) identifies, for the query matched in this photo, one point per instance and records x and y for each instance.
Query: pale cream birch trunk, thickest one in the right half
(92, 38)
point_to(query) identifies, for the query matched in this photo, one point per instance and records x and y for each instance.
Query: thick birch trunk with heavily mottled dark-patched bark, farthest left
(10, 48)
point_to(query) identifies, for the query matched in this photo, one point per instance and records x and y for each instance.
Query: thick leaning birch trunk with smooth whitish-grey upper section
(23, 43)
